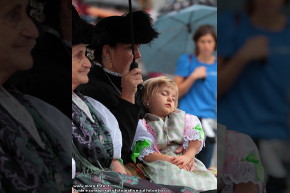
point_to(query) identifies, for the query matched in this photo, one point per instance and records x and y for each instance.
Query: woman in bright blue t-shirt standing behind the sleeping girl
(196, 78)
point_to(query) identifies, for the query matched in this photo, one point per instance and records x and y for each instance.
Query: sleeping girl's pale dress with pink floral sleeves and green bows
(165, 136)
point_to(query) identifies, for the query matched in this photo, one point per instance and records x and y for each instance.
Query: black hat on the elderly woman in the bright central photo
(82, 32)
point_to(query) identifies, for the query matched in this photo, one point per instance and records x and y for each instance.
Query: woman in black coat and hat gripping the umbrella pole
(111, 80)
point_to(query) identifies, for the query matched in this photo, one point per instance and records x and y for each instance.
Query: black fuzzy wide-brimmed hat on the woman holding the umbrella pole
(116, 29)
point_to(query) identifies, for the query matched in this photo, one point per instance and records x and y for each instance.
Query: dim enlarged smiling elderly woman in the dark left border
(34, 136)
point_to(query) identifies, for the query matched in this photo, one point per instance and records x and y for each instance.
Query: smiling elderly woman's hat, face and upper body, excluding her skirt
(94, 127)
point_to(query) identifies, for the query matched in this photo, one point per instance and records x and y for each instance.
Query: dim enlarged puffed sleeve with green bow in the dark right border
(239, 164)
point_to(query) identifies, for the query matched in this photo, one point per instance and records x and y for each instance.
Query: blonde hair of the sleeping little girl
(153, 84)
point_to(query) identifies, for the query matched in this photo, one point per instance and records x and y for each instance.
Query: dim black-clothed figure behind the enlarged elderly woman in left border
(52, 51)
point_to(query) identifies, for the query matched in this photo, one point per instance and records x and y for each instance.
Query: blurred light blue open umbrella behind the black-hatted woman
(176, 30)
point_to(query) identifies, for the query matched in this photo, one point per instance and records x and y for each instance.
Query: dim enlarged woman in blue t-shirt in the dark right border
(254, 81)
